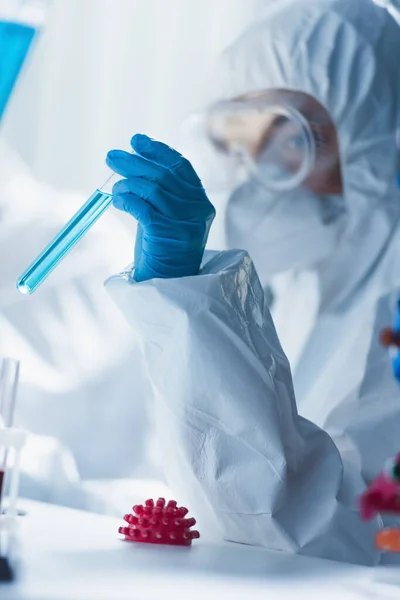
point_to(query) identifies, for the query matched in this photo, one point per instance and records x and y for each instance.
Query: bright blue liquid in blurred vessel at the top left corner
(15, 41)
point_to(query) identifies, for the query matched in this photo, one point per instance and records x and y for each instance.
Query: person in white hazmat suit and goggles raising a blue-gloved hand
(302, 133)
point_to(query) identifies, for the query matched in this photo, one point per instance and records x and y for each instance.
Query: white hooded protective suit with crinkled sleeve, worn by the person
(252, 464)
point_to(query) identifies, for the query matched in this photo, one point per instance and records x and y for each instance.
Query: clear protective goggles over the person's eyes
(274, 141)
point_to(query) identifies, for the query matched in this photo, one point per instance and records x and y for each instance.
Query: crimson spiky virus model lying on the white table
(159, 523)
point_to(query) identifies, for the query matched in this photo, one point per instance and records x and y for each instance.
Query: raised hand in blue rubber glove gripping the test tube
(163, 192)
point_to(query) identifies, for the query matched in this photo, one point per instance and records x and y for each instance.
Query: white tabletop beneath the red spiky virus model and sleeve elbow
(69, 554)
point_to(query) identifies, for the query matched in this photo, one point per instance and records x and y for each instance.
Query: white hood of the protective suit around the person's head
(334, 50)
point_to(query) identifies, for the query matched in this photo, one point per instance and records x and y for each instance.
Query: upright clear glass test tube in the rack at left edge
(9, 375)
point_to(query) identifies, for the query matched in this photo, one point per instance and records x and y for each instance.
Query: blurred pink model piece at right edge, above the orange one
(383, 495)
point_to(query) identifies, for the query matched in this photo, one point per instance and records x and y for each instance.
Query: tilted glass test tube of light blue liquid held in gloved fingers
(67, 238)
